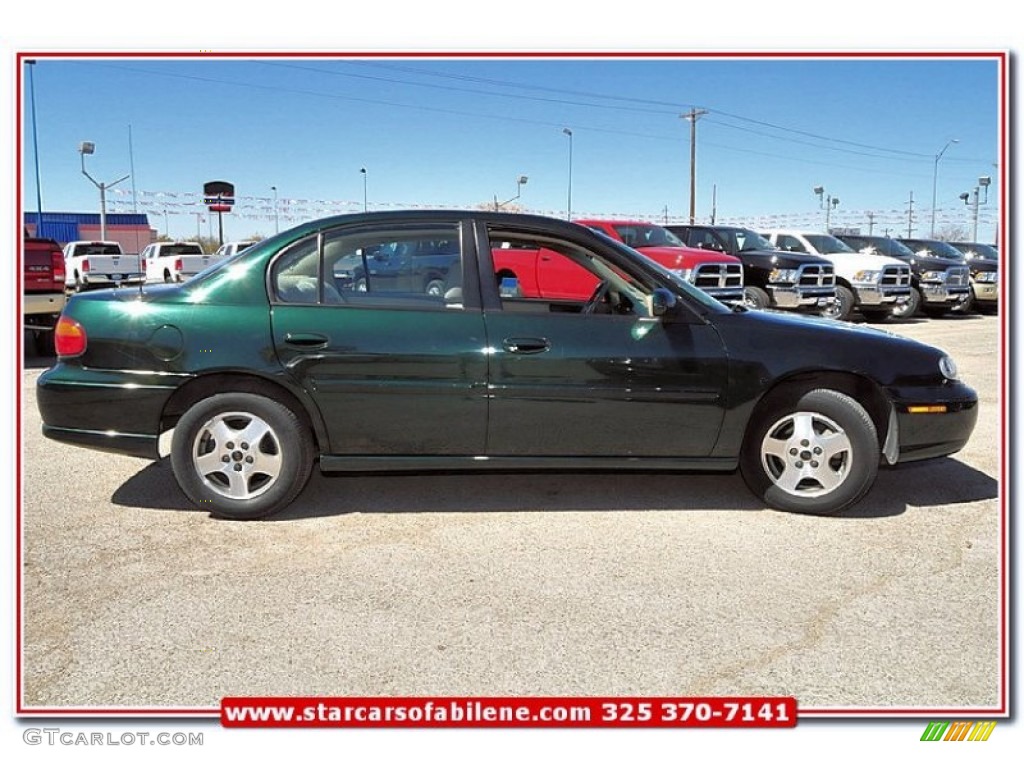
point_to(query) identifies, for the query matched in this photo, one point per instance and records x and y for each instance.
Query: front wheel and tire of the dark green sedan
(815, 454)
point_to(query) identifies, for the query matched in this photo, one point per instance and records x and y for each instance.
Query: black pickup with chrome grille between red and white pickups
(774, 279)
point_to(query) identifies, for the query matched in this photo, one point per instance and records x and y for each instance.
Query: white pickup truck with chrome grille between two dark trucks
(872, 284)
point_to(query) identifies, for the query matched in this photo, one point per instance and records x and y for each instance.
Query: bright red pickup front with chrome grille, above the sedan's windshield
(717, 274)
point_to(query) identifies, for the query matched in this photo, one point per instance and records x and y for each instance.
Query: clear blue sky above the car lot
(459, 133)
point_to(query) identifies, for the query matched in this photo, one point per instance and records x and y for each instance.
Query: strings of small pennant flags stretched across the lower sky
(296, 210)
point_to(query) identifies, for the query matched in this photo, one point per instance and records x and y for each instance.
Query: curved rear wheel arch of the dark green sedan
(220, 382)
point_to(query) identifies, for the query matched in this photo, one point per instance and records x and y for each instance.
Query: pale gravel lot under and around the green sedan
(518, 584)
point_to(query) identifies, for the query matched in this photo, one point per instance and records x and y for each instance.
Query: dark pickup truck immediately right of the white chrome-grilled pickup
(938, 285)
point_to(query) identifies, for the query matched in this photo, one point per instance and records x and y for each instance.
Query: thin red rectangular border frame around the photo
(1006, 270)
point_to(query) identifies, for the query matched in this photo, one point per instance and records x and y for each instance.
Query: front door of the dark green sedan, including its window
(598, 379)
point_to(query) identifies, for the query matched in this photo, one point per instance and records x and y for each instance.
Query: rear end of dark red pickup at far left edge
(45, 290)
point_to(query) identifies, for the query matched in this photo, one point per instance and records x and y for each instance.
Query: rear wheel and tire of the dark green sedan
(270, 455)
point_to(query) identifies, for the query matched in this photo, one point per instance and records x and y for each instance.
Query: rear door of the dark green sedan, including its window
(395, 372)
